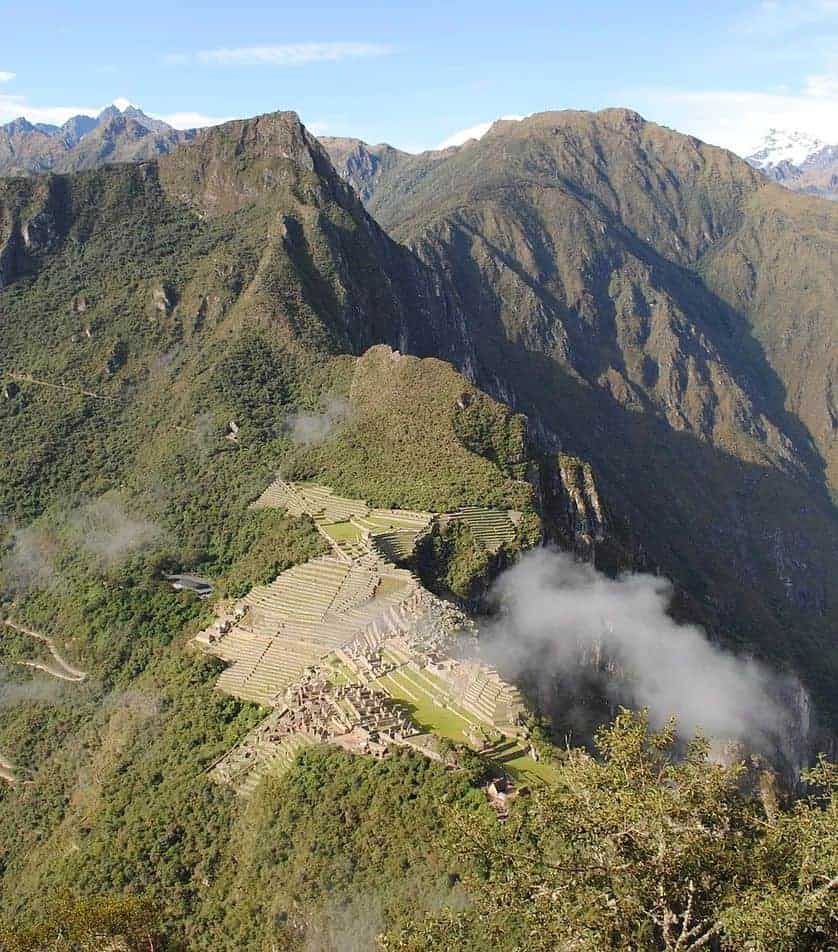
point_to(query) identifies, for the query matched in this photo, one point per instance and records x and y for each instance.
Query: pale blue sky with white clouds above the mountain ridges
(417, 74)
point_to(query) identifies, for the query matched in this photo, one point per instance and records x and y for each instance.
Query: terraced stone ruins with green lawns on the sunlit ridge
(350, 648)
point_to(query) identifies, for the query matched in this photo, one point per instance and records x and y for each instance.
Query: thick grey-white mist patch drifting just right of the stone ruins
(563, 620)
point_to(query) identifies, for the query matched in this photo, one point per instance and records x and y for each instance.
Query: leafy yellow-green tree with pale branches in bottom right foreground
(643, 849)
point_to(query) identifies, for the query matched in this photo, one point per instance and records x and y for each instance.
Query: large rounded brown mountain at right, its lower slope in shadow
(601, 262)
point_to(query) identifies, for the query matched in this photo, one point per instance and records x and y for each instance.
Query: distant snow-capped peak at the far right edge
(798, 161)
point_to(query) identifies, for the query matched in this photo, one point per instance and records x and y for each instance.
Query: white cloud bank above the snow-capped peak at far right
(738, 119)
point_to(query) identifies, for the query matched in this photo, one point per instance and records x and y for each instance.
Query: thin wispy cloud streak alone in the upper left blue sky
(281, 54)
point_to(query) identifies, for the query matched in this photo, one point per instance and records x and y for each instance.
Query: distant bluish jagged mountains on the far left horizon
(115, 135)
